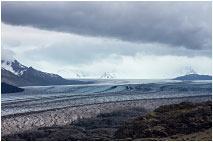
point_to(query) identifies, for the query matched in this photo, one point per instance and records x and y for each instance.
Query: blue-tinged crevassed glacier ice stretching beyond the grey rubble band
(36, 98)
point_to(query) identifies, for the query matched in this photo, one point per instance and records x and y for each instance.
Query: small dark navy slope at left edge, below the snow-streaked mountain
(6, 88)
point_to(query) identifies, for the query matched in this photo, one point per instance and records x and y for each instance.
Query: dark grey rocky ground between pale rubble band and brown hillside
(101, 127)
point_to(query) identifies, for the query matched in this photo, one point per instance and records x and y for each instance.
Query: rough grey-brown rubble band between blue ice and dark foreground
(17, 123)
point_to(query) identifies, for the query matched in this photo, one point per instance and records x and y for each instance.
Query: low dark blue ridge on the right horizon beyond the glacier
(194, 77)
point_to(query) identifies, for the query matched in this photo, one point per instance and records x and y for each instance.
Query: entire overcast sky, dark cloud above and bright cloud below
(129, 39)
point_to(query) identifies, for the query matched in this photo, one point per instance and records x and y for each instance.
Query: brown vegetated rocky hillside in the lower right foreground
(169, 120)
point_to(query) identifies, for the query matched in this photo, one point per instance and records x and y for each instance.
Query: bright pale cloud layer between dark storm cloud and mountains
(66, 54)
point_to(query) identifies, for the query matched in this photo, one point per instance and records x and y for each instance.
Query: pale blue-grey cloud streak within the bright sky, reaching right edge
(67, 53)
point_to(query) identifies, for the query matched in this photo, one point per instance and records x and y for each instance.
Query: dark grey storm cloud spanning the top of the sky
(186, 24)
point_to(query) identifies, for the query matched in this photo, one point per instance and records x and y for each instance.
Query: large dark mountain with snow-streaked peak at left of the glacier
(16, 74)
